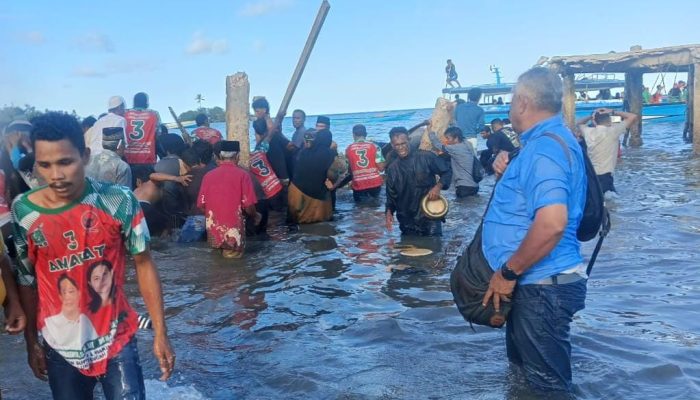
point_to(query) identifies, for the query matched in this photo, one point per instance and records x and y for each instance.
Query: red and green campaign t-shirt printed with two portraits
(75, 255)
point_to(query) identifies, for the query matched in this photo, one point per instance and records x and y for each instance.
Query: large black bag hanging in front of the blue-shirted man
(470, 281)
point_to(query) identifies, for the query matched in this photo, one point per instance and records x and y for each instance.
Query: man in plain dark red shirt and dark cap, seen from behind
(226, 194)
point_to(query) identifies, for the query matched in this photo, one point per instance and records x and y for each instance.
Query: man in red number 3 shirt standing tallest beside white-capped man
(141, 129)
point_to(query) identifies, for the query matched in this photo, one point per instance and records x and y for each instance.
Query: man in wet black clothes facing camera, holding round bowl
(410, 178)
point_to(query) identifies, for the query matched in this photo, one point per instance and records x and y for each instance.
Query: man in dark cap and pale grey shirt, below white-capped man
(108, 166)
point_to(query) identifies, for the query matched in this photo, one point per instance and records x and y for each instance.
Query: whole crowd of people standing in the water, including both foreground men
(84, 197)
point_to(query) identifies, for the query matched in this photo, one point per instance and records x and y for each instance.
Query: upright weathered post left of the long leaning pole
(237, 106)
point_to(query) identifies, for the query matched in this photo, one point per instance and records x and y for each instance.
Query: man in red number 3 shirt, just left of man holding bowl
(366, 164)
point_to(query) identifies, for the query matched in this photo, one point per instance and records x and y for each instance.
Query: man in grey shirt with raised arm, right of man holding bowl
(462, 155)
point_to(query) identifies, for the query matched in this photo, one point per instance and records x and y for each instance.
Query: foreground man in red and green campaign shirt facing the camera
(72, 238)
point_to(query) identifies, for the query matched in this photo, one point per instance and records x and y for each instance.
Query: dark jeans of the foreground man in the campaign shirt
(123, 380)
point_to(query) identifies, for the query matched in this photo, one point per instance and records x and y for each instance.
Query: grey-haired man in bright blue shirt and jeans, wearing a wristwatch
(529, 234)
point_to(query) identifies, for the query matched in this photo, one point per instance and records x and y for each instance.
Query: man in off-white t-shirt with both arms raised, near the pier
(603, 141)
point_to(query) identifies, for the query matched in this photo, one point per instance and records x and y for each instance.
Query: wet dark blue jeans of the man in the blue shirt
(537, 332)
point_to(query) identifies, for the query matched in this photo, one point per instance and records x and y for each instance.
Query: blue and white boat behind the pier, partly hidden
(664, 111)
